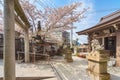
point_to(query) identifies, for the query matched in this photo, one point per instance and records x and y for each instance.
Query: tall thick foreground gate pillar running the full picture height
(9, 40)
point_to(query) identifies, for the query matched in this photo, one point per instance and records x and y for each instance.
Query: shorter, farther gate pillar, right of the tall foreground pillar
(26, 41)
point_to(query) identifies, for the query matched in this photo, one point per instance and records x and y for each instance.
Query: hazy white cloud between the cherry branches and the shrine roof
(89, 20)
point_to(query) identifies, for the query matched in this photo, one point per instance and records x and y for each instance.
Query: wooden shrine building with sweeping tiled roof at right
(107, 31)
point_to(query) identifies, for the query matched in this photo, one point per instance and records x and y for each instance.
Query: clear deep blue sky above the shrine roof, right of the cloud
(104, 7)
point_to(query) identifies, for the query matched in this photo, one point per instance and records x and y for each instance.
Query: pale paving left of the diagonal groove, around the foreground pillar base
(40, 70)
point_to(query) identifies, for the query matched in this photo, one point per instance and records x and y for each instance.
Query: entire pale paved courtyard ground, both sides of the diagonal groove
(58, 69)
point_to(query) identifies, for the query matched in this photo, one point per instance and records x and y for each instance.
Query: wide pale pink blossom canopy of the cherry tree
(53, 18)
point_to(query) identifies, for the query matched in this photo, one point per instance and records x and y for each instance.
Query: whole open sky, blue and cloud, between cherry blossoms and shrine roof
(99, 8)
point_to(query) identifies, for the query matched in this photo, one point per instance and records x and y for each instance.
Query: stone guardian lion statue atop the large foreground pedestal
(96, 45)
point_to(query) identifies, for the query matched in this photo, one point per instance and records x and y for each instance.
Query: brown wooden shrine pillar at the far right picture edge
(118, 48)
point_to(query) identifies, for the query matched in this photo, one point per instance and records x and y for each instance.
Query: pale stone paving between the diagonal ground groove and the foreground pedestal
(72, 71)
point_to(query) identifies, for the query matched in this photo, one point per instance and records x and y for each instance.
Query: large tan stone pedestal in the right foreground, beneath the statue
(97, 65)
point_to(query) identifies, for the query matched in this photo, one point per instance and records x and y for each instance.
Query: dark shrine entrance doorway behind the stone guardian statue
(110, 44)
